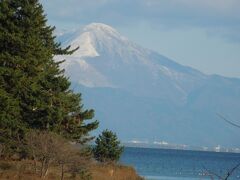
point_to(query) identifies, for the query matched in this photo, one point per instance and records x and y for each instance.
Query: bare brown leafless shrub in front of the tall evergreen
(51, 149)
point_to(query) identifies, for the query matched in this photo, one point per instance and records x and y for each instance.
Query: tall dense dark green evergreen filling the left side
(34, 92)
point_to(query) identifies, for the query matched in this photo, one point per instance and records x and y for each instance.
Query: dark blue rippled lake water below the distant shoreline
(162, 164)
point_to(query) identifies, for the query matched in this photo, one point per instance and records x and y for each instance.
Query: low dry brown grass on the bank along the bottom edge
(24, 170)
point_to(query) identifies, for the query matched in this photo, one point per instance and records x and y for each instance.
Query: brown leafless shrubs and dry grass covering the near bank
(49, 156)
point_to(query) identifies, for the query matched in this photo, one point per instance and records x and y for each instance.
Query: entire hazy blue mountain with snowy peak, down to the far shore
(162, 100)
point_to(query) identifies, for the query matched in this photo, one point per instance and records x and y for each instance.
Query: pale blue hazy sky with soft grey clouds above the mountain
(203, 34)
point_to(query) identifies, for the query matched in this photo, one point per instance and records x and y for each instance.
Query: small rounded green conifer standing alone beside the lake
(108, 148)
